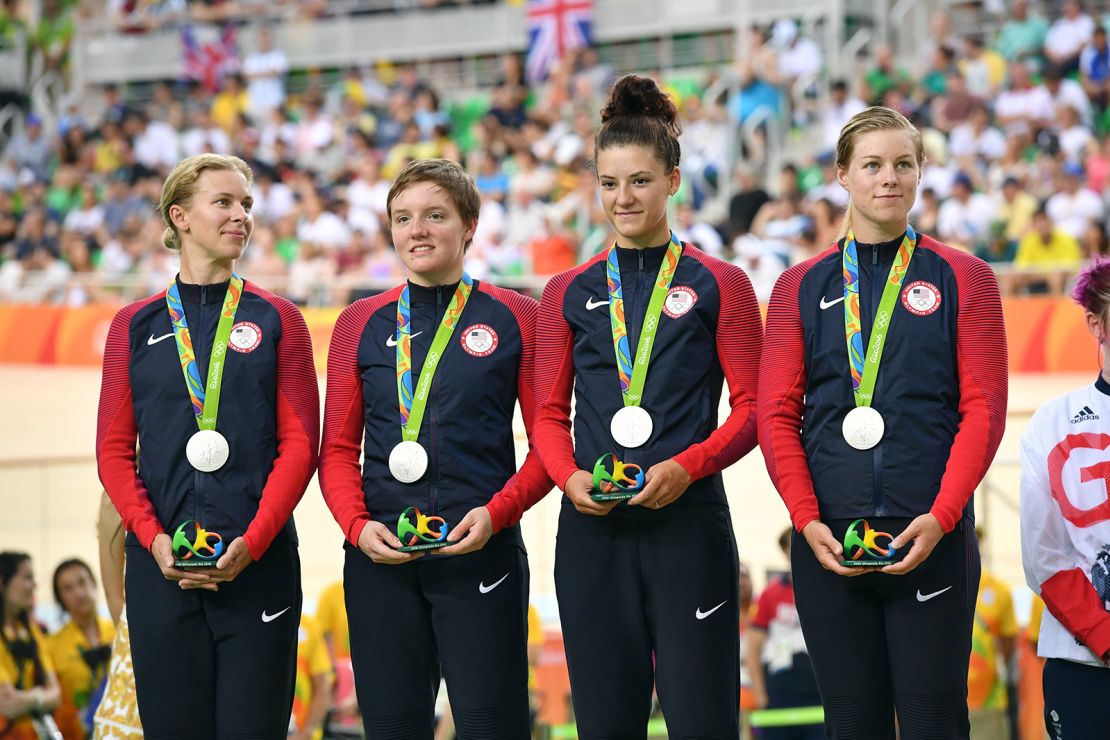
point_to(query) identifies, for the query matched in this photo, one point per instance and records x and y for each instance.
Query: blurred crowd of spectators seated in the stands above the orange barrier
(1016, 127)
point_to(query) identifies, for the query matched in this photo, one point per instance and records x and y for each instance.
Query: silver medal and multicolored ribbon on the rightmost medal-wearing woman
(864, 427)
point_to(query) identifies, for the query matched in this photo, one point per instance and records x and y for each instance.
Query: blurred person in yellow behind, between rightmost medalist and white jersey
(994, 641)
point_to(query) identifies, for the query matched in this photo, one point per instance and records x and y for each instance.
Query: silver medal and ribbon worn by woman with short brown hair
(409, 459)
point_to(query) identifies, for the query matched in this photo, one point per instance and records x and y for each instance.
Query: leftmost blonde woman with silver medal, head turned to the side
(213, 382)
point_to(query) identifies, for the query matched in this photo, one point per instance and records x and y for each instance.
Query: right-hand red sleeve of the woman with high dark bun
(740, 340)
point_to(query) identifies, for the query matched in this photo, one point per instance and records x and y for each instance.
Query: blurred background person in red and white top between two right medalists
(778, 661)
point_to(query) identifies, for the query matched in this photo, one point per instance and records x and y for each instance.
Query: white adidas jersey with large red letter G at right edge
(1066, 506)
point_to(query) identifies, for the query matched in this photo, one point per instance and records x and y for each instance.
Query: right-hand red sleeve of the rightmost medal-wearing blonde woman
(982, 359)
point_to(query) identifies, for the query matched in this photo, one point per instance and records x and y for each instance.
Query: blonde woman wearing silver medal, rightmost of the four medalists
(882, 403)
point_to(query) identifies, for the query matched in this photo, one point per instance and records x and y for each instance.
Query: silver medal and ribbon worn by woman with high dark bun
(632, 427)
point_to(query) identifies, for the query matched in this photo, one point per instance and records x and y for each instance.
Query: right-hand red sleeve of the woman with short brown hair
(531, 483)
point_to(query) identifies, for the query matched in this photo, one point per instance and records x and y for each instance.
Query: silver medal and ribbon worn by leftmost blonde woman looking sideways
(207, 450)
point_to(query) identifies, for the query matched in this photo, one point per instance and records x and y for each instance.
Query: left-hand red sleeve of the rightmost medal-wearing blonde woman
(782, 399)
